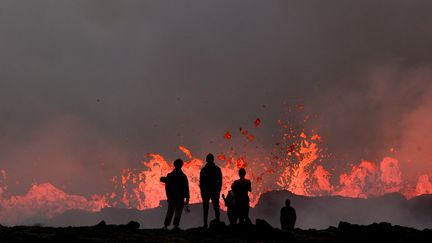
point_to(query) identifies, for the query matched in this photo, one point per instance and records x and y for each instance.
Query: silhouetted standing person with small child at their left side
(241, 188)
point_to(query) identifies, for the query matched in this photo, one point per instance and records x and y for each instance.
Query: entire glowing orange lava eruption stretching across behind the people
(296, 163)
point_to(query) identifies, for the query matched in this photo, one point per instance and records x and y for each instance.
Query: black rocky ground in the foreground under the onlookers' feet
(260, 232)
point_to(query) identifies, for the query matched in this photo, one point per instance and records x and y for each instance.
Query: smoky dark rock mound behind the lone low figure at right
(320, 212)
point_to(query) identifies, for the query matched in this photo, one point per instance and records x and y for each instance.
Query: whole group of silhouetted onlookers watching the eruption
(236, 200)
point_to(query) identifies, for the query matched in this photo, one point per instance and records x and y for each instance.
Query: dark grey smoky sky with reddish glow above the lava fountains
(85, 82)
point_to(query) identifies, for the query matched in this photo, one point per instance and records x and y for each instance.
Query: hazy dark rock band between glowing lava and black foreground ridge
(312, 212)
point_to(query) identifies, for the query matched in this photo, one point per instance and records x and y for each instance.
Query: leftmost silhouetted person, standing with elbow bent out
(177, 192)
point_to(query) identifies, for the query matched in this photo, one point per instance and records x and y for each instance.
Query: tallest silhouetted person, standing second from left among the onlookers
(210, 186)
